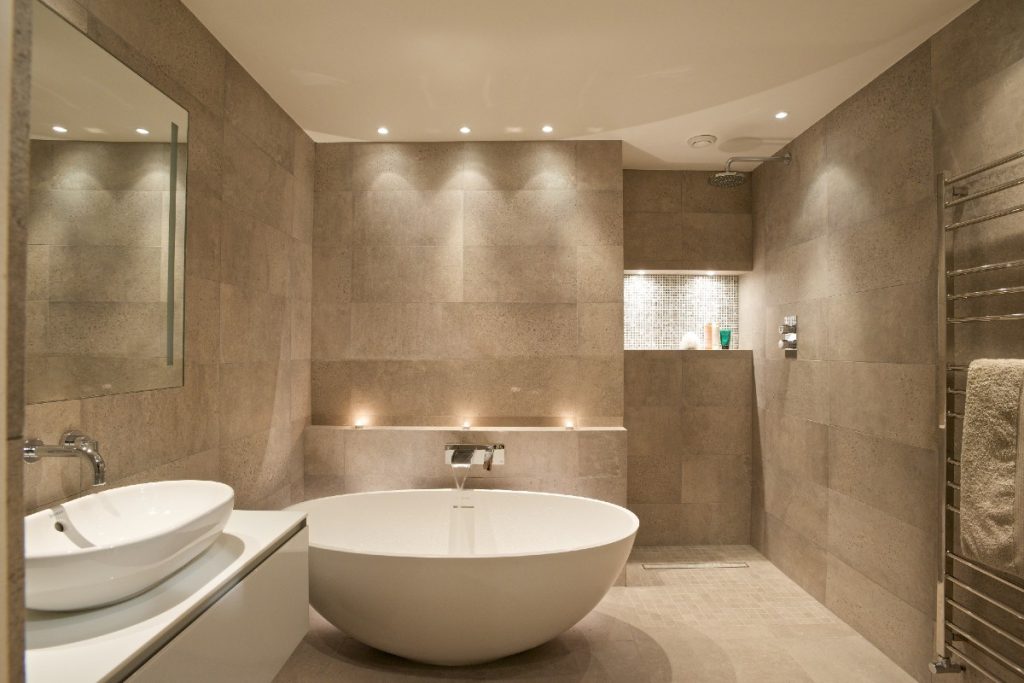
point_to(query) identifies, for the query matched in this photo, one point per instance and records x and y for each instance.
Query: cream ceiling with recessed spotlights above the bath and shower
(652, 73)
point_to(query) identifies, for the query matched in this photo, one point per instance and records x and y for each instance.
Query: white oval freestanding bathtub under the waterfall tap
(452, 579)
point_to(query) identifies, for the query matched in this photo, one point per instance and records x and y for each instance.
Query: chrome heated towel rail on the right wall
(979, 612)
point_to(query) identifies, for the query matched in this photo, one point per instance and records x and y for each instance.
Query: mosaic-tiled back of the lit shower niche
(661, 309)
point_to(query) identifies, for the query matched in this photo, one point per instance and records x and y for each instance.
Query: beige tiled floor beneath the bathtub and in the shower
(722, 625)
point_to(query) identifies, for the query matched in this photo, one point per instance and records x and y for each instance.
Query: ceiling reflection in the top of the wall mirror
(78, 86)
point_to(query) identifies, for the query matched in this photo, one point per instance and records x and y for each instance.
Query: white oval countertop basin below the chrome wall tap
(119, 543)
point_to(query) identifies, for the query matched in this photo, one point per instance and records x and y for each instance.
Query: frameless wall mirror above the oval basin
(106, 277)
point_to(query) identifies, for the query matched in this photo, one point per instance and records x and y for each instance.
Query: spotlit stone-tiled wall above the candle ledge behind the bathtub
(457, 281)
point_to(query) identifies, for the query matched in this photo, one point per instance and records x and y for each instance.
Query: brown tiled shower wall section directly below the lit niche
(689, 414)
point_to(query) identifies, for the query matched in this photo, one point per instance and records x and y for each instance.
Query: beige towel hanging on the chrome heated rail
(993, 465)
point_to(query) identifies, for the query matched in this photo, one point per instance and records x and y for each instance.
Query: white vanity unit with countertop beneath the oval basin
(235, 614)
